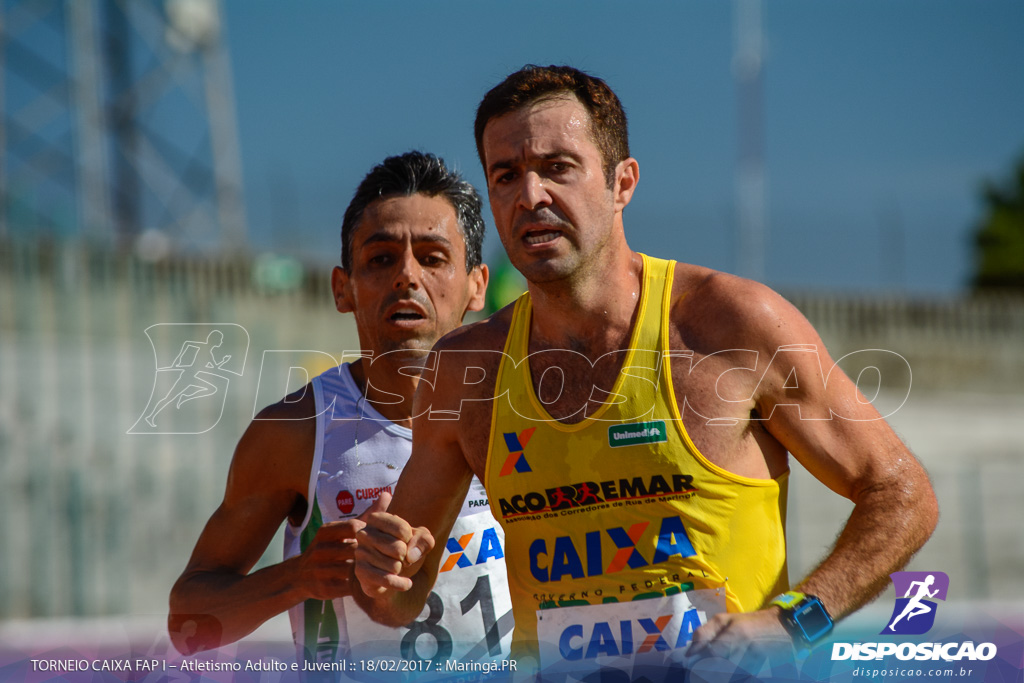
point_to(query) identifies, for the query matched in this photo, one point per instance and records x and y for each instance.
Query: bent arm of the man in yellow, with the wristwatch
(828, 425)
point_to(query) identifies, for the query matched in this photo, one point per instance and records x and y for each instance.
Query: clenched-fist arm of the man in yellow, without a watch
(447, 453)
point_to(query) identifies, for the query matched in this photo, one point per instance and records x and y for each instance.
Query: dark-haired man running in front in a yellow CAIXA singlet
(659, 469)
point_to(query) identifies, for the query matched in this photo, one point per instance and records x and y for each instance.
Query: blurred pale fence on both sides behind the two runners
(96, 521)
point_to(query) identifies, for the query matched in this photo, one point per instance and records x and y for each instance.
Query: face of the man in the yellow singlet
(552, 206)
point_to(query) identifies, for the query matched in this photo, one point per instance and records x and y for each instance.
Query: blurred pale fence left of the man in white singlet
(95, 521)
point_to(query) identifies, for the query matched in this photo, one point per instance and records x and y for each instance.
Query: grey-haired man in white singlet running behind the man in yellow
(411, 270)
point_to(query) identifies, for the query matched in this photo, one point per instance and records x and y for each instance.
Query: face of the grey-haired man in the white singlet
(408, 284)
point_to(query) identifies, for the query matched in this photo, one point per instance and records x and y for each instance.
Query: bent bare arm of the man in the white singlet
(217, 601)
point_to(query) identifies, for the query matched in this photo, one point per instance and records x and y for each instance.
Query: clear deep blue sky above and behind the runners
(881, 119)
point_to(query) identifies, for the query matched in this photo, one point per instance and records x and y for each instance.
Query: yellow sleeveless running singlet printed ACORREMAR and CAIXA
(622, 506)
